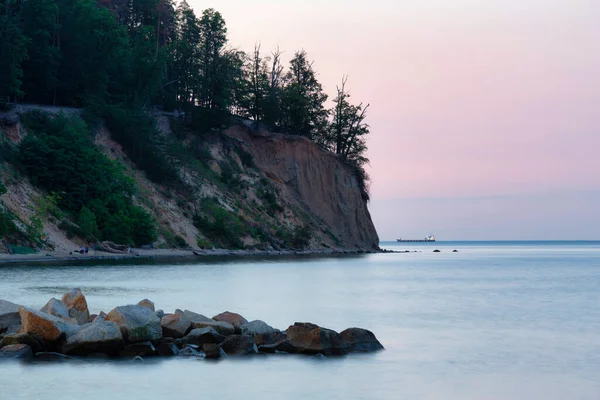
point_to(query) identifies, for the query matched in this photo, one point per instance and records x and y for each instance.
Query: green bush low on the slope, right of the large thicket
(220, 225)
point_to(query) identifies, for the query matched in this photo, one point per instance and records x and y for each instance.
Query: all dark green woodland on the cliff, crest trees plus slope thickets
(121, 61)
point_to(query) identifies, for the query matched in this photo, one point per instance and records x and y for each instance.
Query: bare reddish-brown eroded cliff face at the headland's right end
(317, 181)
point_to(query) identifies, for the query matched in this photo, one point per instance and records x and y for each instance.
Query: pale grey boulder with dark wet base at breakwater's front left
(97, 337)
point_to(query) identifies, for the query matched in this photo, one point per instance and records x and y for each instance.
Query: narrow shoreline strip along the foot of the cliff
(147, 254)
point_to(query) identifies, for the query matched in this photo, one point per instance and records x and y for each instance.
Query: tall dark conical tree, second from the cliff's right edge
(303, 99)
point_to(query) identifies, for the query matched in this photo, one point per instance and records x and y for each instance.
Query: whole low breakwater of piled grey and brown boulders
(64, 329)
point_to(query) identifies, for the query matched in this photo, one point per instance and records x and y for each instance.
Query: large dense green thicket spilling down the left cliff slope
(59, 156)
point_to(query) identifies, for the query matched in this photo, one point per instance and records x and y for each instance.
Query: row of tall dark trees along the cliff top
(135, 54)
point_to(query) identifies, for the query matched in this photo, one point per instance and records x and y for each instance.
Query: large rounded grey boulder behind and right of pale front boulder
(137, 323)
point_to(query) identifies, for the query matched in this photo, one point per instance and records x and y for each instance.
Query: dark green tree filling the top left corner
(13, 51)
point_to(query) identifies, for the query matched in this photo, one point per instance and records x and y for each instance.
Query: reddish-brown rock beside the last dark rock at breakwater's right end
(312, 339)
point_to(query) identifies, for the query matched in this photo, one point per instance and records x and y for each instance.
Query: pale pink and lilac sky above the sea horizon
(484, 114)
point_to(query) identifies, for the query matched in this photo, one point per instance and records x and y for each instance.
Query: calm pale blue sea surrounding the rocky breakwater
(498, 320)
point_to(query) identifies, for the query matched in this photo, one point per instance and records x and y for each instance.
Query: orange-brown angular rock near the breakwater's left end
(45, 326)
